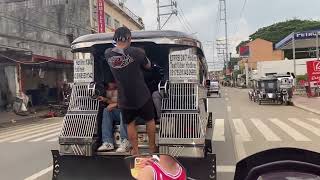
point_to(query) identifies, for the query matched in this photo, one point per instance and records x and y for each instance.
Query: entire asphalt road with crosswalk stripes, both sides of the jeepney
(241, 128)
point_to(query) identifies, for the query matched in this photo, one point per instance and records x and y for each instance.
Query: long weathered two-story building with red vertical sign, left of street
(35, 38)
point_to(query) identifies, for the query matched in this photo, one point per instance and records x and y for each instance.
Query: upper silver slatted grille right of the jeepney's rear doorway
(181, 96)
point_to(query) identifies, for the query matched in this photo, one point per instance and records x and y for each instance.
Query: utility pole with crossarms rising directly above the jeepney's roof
(172, 11)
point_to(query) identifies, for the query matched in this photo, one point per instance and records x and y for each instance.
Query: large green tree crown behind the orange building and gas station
(280, 30)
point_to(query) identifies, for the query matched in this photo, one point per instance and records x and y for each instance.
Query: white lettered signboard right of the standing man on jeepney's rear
(183, 68)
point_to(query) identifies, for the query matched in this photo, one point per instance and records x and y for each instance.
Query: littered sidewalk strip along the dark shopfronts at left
(11, 117)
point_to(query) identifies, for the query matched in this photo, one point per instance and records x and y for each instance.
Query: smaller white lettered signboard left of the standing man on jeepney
(83, 70)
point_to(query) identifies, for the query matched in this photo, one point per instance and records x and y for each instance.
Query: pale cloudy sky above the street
(202, 16)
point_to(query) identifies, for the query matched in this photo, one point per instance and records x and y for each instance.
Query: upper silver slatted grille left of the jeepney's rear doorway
(80, 99)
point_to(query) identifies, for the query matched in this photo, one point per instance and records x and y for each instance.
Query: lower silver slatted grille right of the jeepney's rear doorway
(181, 126)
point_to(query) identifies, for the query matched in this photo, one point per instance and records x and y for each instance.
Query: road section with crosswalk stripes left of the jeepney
(25, 148)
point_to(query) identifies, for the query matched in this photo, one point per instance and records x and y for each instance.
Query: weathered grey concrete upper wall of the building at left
(46, 21)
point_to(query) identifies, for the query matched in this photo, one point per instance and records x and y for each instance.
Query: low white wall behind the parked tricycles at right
(282, 66)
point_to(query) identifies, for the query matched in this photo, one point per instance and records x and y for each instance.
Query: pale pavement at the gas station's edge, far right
(308, 104)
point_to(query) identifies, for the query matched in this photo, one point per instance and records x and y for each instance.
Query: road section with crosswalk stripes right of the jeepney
(243, 128)
